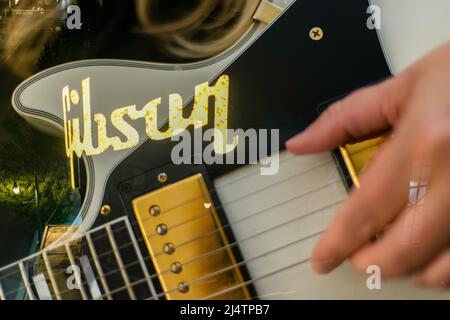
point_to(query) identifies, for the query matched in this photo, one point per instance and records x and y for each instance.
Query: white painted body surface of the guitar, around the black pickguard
(268, 214)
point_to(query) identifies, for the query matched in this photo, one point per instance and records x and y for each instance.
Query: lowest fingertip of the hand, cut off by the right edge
(437, 273)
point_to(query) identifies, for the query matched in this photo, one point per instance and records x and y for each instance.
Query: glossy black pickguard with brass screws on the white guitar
(279, 82)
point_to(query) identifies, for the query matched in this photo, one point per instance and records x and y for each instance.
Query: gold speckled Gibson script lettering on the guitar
(77, 143)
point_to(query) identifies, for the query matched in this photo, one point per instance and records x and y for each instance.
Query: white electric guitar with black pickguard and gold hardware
(152, 229)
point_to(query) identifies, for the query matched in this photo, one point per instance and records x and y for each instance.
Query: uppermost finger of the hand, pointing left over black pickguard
(369, 110)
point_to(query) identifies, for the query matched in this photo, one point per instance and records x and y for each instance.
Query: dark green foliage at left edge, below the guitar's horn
(24, 155)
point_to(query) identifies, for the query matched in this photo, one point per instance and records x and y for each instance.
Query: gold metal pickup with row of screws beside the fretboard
(187, 243)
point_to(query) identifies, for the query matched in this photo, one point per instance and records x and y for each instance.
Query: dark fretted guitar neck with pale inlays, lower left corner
(105, 263)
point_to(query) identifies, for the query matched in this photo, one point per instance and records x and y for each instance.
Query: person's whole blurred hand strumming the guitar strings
(415, 107)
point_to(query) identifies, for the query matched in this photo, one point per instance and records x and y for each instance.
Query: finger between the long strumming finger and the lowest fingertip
(419, 235)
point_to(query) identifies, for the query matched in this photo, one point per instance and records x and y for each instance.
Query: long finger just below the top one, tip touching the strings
(383, 193)
